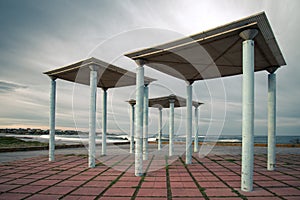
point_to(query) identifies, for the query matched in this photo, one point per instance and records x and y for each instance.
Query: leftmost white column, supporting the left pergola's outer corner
(52, 119)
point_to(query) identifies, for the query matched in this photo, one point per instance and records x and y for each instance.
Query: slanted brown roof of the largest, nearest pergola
(188, 59)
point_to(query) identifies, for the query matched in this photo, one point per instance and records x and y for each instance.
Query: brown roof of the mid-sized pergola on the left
(109, 76)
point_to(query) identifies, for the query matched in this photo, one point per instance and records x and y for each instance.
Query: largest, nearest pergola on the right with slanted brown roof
(230, 50)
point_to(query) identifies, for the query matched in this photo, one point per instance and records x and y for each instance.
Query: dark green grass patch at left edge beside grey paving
(11, 142)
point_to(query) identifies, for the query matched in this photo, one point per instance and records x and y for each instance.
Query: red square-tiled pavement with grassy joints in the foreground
(213, 177)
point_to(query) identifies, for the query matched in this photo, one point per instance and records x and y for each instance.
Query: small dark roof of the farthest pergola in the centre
(164, 102)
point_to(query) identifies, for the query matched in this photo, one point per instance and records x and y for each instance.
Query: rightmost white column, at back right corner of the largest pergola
(271, 121)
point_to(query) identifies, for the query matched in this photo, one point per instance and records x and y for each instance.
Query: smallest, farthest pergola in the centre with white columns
(172, 101)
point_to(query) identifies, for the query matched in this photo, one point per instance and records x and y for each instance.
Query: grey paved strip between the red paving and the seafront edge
(119, 150)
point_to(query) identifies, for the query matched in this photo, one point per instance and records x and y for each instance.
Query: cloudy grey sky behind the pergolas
(37, 36)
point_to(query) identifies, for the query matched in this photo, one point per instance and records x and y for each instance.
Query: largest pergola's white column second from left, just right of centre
(189, 124)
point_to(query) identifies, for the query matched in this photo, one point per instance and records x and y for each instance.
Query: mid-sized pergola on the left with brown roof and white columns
(95, 73)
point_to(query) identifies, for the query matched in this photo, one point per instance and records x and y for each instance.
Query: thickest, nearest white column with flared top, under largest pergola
(248, 110)
